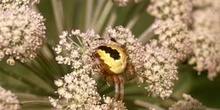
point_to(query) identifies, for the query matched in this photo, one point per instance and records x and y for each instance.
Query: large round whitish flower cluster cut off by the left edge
(22, 33)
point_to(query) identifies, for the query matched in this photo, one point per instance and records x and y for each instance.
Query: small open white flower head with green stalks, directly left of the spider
(70, 52)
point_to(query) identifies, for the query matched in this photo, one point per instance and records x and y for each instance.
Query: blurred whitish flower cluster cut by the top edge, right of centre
(177, 10)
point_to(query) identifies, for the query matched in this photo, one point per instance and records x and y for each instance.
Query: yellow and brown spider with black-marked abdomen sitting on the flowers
(113, 64)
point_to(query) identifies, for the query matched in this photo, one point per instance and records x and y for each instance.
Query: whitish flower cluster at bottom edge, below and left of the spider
(77, 90)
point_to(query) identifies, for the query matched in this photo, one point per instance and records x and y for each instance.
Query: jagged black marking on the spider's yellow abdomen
(113, 53)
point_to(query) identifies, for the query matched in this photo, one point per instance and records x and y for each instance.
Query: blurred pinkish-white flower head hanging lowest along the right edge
(205, 53)
